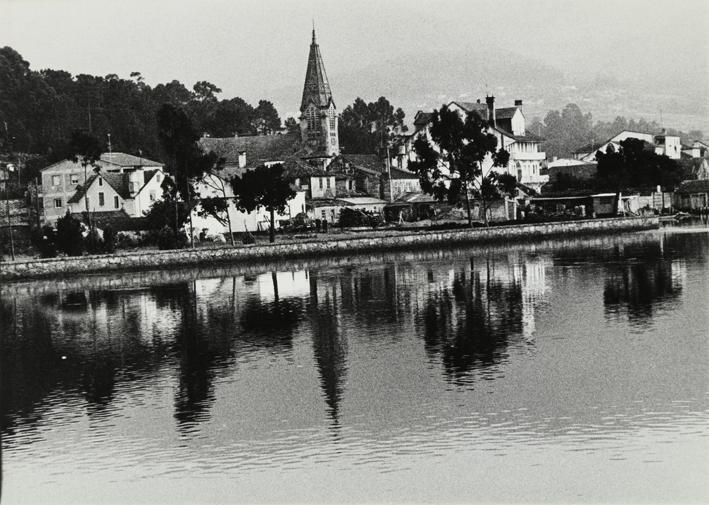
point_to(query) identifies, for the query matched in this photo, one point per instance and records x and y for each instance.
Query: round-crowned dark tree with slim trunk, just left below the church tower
(263, 187)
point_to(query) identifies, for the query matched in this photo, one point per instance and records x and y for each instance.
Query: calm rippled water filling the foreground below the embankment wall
(567, 371)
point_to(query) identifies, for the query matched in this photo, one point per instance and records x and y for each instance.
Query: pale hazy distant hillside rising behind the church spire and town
(424, 81)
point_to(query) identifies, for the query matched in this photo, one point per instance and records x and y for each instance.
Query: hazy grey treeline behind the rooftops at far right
(569, 129)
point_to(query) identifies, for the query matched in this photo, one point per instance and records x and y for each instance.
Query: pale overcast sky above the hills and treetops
(246, 47)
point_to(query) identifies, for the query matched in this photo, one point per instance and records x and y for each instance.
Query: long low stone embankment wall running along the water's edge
(146, 260)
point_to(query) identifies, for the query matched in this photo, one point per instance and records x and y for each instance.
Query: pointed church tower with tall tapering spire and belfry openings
(318, 114)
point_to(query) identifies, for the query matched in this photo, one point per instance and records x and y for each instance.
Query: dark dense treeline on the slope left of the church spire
(40, 109)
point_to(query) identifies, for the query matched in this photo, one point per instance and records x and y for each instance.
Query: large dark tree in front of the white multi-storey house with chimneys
(461, 160)
